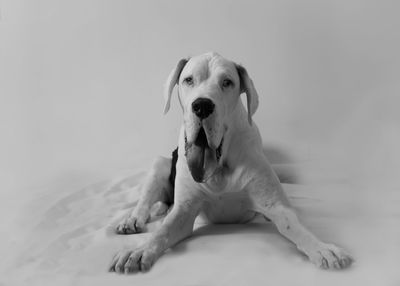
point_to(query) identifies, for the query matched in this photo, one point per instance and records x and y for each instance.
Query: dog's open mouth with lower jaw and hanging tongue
(201, 158)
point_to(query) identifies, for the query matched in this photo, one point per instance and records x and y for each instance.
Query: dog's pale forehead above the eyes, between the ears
(210, 64)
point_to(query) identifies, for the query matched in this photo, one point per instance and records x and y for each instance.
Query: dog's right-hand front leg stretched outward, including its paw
(270, 200)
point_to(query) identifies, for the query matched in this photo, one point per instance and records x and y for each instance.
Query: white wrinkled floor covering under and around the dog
(66, 238)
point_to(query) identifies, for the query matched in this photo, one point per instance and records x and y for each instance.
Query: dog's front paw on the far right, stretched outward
(328, 256)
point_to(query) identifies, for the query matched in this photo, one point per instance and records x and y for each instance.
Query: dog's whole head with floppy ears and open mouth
(209, 88)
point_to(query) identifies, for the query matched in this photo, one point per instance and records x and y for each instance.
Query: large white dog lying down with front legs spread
(219, 170)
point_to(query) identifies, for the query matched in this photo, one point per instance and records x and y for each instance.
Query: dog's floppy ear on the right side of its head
(247, 86)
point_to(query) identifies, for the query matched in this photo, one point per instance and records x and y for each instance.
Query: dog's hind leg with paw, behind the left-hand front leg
(156, 188)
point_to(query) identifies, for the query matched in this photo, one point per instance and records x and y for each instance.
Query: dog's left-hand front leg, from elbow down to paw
(178, 224)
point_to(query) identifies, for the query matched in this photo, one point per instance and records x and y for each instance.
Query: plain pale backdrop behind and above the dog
(81, 84)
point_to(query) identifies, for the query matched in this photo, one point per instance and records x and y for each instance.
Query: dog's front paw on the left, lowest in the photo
(138, 260)
